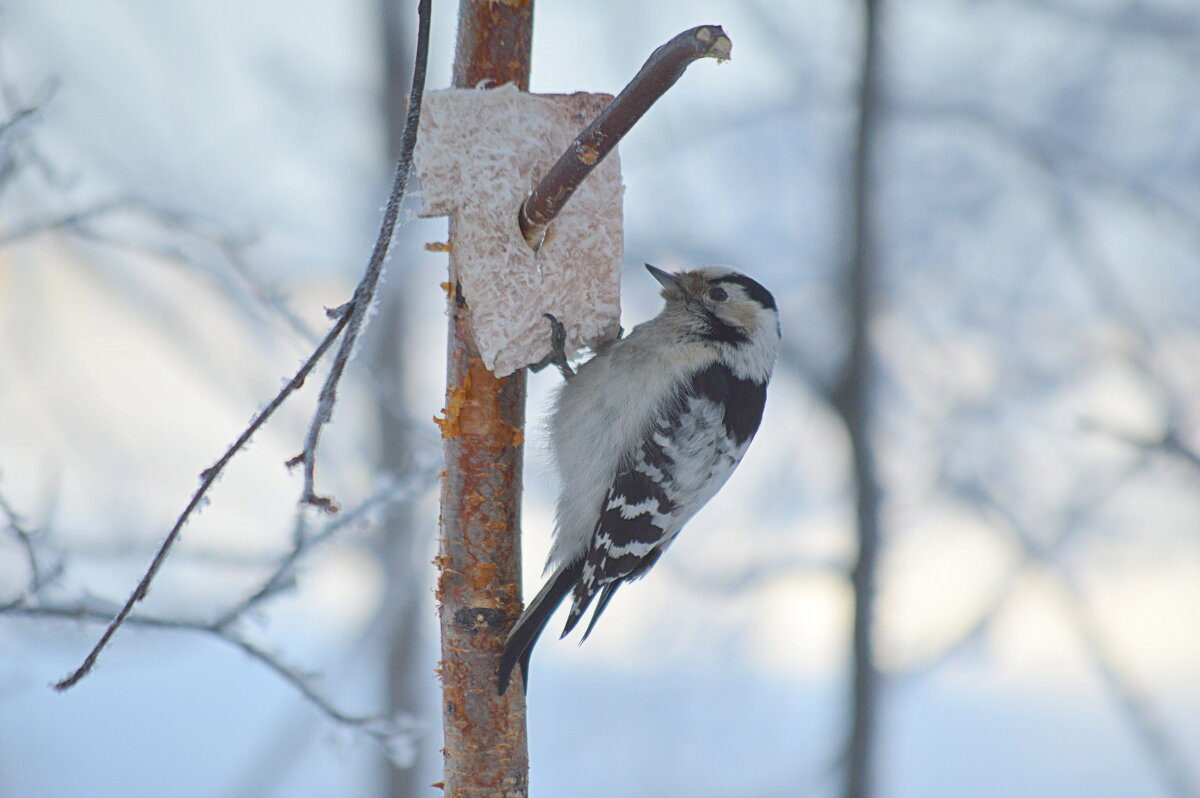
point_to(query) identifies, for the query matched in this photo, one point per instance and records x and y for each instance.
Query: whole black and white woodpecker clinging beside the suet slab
(645, 435)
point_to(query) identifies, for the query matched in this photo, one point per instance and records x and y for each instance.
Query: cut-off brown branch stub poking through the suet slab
(665, 67)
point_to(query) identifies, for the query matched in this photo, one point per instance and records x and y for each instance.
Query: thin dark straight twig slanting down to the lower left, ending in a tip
(208, 479)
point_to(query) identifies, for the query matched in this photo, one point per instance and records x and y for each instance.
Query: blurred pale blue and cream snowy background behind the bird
(202, 178)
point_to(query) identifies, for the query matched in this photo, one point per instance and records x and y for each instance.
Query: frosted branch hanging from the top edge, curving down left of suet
(365, 293)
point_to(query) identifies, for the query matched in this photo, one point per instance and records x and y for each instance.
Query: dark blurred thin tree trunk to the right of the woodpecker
(853, 400)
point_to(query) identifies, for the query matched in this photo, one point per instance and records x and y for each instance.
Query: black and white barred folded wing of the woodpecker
(686, 458)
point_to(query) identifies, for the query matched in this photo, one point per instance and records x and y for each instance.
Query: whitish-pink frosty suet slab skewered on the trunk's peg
(479, 154)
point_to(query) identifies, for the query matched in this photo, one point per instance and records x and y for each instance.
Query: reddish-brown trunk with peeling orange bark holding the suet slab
(479, 562)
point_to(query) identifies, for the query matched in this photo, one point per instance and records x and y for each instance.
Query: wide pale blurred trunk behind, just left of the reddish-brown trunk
(400, 620)
